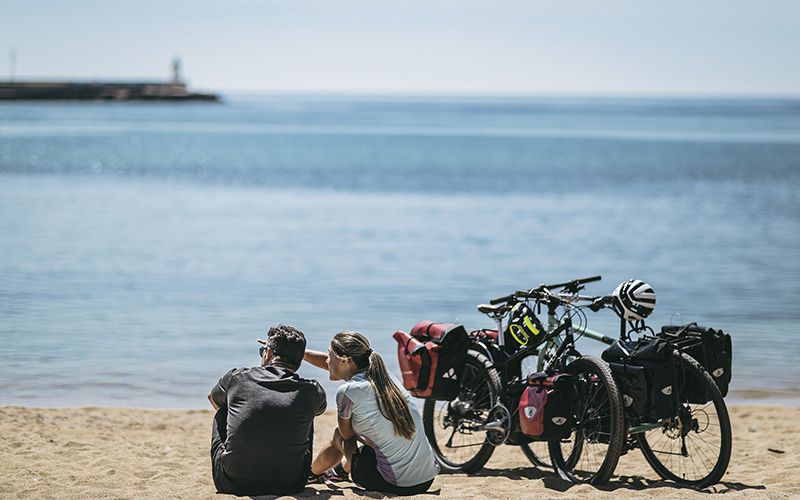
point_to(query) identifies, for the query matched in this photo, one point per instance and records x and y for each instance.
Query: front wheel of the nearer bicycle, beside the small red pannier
(591, 453)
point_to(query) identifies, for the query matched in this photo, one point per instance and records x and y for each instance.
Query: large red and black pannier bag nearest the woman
(432, 359)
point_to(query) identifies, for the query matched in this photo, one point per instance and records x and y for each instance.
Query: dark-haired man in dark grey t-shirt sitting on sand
(263, 431)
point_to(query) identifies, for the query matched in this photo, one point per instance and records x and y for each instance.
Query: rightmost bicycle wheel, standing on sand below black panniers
(694, 447)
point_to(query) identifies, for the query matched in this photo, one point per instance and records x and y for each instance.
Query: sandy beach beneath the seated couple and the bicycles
(133, 453)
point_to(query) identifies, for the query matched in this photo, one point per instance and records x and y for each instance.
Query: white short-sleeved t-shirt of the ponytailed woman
(402, 462)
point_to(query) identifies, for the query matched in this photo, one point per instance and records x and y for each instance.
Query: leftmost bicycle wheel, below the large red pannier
(451, 426)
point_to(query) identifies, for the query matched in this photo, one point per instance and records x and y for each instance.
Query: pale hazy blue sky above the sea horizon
(712, 47)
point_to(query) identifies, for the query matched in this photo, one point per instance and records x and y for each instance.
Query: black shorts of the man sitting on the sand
(235, 486)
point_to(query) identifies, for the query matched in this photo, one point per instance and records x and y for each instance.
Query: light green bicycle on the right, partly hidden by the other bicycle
(691, 447)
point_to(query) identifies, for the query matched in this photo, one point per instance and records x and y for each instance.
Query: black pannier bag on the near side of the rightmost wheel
(647, 376)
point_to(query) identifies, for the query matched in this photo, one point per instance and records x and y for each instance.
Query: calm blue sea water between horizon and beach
(144, 247)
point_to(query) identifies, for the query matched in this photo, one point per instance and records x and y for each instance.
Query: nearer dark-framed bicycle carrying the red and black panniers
(464, 432)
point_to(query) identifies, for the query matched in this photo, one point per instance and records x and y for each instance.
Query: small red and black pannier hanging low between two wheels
(547, 406)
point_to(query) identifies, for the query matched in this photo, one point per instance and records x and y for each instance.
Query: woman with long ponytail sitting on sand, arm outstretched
(395, 456)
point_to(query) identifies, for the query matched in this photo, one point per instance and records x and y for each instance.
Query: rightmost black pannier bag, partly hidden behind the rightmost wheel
(711, 348)
